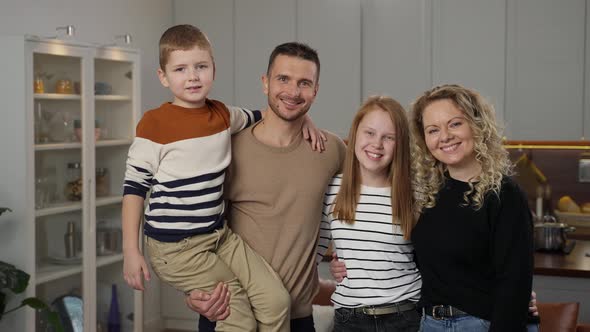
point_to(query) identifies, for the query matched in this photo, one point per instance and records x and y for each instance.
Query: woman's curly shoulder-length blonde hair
(489, 152)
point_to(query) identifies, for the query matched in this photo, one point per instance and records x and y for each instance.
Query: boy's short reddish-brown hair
(182, 37)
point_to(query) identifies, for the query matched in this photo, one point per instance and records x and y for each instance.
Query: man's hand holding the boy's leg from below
(214, 306)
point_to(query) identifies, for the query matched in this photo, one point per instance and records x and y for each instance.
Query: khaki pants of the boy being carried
(258, 299)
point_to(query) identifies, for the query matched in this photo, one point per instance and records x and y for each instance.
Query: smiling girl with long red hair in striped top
(368, 214)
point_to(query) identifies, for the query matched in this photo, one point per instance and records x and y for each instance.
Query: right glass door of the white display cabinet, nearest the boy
(114, 114)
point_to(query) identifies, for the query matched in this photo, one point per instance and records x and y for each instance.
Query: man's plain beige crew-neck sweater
(276, 199)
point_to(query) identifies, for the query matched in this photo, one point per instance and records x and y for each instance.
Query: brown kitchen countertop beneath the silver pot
(576, 264)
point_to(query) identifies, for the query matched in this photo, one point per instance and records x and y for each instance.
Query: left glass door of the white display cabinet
(58, 179)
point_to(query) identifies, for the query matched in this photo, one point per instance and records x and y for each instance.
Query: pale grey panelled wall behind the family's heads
(528, 66)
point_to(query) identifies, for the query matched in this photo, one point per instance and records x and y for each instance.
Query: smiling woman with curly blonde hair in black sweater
(473, 239)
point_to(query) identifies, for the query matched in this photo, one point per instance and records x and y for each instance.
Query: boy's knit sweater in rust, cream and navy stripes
(181, 155)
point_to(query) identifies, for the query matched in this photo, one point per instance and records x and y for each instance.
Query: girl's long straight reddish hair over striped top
(399, 171)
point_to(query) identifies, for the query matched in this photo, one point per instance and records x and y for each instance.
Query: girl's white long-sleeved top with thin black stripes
(379, 262)
